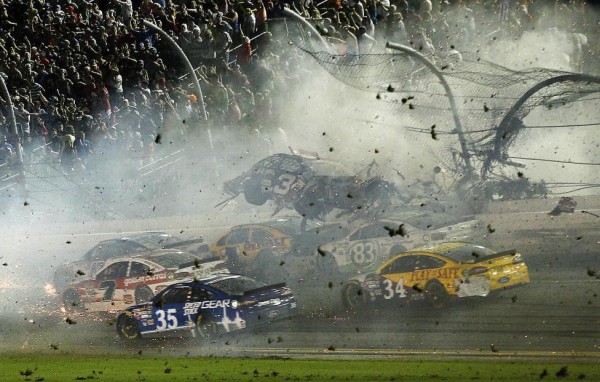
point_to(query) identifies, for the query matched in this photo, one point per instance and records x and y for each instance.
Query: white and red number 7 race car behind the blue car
(125, 281)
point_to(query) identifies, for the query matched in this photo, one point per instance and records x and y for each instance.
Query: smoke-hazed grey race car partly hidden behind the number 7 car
(96, 257)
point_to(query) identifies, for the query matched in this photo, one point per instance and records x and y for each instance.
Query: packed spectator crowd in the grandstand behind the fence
(88, 78)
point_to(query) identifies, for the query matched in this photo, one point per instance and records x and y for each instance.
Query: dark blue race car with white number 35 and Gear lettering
(208, 306)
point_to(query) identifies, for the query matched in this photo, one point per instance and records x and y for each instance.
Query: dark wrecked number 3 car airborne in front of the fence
(312, 186)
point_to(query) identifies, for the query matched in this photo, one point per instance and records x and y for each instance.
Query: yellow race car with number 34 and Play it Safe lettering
(438, 274)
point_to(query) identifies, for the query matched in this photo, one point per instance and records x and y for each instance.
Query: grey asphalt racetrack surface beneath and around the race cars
(555, 315)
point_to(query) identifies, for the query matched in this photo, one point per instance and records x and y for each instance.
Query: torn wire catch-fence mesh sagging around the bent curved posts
(484, 93)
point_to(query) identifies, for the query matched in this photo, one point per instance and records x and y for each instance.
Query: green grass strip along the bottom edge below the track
(73, 368)
